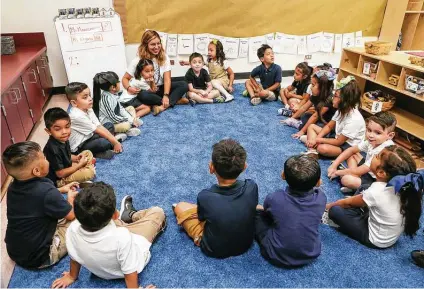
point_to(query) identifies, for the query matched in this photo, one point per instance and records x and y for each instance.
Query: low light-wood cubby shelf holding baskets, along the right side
(397, 63)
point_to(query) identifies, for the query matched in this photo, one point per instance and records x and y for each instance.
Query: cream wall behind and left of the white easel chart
(37, 16)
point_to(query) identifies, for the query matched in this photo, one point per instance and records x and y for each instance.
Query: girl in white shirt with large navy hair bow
(391, 206)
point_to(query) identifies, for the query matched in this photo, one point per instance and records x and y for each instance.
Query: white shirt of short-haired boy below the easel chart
(83, 125)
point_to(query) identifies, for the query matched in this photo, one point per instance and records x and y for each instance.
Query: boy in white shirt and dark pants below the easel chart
(87, 133)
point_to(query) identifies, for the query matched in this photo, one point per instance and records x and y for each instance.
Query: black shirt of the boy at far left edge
(34, 207)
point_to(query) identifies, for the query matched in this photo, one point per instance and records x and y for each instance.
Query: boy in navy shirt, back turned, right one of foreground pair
(287, 224)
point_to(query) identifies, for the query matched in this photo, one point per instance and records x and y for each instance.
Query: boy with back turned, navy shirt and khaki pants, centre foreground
(222, 222)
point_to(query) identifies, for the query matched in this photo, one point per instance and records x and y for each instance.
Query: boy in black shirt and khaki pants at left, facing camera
(65, 167)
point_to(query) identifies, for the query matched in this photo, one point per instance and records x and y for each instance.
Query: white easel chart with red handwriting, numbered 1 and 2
(90, 46)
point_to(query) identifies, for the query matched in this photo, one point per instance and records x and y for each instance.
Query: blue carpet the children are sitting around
(169, 163)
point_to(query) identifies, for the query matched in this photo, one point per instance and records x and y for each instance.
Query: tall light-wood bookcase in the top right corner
(406, 16)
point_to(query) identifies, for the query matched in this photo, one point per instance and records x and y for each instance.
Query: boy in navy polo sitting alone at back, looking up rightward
(270, 75)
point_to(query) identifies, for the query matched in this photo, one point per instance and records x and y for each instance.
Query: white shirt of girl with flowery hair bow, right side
(351, 126)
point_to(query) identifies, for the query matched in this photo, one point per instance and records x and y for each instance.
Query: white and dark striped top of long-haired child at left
(110, 110)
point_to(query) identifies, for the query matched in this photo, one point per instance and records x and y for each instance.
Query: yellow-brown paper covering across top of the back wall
(248, 18)
